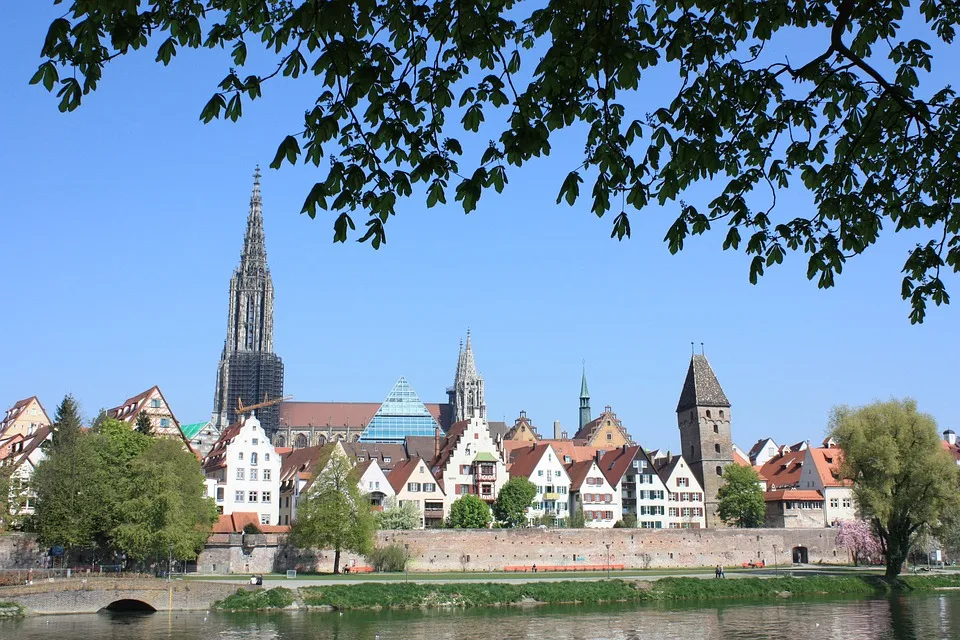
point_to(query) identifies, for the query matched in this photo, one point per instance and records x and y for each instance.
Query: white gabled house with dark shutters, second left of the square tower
(632, 473)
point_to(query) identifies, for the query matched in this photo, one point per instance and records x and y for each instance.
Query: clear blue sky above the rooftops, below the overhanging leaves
(122, 222)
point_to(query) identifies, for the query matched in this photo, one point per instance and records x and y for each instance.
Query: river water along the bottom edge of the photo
(922, 617)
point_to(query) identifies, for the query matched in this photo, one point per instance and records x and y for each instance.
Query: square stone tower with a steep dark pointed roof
(703, 415)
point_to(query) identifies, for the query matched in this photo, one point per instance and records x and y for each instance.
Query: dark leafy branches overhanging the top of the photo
(401, 83)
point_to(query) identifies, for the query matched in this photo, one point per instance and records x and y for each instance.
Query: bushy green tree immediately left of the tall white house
(165, 511)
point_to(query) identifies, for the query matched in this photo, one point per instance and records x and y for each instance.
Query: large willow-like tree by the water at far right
(903, 478)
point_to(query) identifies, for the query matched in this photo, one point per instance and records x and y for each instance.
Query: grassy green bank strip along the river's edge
(472, 594)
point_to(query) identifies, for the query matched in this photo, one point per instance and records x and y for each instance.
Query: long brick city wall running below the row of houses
(494, 549)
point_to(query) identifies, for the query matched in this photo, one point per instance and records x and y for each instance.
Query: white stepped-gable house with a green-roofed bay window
(470, 462)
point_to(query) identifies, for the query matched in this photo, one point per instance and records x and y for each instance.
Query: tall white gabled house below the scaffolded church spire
(245, 470)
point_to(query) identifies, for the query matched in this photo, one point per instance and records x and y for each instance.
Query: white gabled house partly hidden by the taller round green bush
(540, 464)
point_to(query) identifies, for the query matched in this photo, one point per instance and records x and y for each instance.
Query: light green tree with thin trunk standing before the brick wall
(334, 513)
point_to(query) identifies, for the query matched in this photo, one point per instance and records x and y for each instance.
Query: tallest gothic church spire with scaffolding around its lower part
(249, 369)
